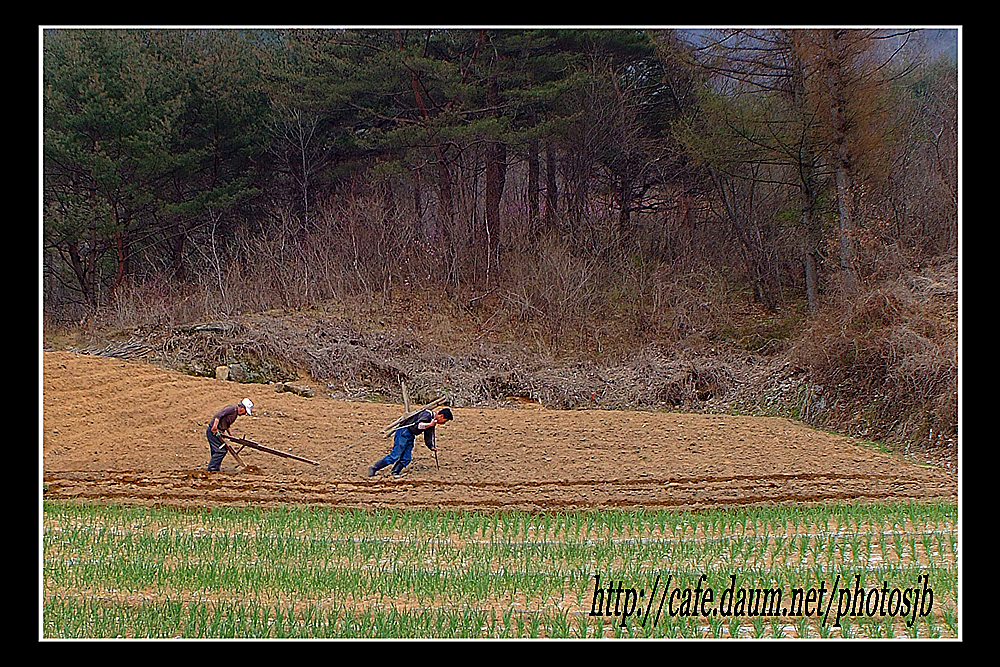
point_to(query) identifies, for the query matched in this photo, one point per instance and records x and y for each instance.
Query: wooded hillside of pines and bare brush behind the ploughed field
(586, 196)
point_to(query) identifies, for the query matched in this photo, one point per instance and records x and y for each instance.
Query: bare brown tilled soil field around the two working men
(123, 431)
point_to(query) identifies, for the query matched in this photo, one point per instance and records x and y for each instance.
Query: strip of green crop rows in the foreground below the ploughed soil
(306, 572)
